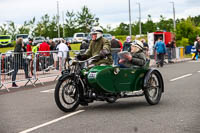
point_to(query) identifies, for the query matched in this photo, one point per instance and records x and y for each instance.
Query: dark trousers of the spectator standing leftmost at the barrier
(16, 68)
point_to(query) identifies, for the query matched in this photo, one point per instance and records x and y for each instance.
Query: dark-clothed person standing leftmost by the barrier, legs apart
(18, 60)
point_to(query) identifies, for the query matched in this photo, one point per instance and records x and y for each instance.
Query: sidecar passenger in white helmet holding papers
(136, 57)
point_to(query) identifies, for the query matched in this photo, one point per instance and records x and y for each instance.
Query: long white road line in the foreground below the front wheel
(51, 122)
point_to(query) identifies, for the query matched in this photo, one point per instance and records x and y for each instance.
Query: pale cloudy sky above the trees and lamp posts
(109, 12)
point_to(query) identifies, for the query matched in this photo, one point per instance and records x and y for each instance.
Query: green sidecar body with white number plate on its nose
(115, 79)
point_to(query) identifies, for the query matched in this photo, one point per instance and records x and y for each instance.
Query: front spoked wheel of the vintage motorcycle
(67, 95)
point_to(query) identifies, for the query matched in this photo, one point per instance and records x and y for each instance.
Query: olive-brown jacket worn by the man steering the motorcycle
(94, 49)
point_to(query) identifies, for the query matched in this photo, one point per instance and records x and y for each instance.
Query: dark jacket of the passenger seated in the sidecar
(138, 59)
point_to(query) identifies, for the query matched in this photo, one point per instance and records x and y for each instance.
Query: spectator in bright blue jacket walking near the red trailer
(161, 51)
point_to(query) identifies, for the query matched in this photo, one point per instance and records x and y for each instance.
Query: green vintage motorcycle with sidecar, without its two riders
(82, 85)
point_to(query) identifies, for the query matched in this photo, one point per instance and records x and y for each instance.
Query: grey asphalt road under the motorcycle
(34, 110)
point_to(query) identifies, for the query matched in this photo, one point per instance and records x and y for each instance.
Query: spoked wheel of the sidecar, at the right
(153, 91)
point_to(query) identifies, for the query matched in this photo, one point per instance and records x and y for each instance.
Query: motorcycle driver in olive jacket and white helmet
(98, 46)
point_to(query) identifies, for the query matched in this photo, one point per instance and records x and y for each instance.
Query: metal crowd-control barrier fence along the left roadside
(31, 67)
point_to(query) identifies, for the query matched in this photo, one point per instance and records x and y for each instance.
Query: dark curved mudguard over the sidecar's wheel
(148, 75)
